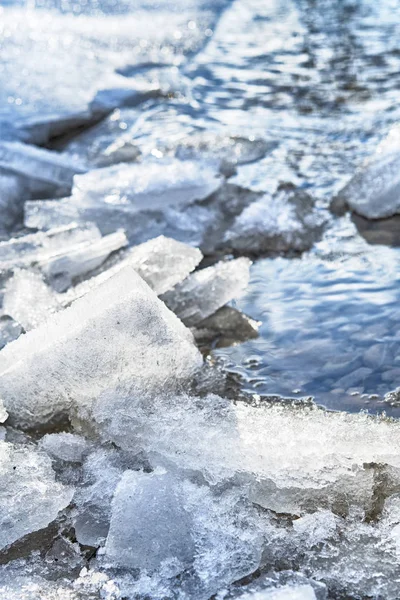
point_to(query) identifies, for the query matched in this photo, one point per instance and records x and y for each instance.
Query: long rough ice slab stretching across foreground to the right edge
(295, 458)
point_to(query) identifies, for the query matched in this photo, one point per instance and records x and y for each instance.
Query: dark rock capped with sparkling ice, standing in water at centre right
(281, 223)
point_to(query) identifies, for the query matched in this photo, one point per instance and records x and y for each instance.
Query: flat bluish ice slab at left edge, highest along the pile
(42, 169)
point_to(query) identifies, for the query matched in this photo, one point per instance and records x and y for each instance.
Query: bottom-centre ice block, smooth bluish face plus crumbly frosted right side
(177, 524)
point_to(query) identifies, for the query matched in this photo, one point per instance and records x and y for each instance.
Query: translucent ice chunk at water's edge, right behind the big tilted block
(206, 290)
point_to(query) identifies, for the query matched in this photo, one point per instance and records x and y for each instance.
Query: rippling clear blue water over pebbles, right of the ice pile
(330, 329)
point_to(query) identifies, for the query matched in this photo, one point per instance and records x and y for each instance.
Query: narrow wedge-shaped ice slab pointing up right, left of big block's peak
(63, 269)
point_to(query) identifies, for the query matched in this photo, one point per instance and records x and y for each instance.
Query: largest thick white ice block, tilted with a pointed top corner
(119, 334)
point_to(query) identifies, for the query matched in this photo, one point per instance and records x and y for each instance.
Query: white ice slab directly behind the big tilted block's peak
(162, 263)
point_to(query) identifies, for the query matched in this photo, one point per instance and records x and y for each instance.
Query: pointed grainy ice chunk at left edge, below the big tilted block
(30, 498)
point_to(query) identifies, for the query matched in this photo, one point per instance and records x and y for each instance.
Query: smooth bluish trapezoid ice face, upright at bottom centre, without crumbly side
(149, 524)
